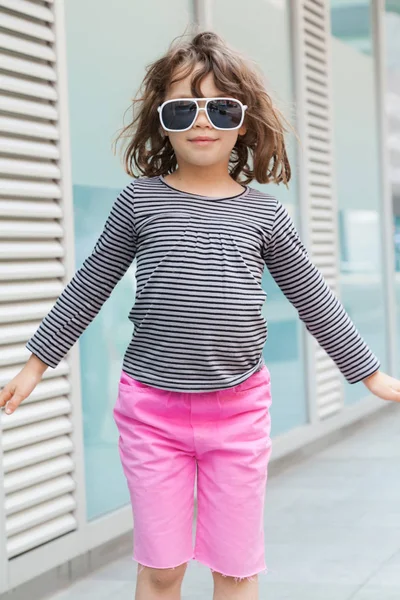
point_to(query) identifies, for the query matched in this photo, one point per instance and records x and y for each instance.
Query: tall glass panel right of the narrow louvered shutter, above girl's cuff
(357, 176)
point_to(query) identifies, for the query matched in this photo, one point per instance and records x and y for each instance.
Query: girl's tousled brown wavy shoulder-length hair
(259, 154)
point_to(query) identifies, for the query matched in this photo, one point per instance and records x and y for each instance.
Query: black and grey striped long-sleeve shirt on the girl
(197, 315)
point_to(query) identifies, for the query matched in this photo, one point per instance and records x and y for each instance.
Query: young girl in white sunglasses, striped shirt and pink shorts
(194, 393)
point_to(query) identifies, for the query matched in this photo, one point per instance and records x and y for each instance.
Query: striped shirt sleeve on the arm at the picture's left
(92, 284)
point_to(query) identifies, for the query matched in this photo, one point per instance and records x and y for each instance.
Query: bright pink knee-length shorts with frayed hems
(164, 438)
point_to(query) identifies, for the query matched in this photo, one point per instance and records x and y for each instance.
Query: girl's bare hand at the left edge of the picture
(22, 385)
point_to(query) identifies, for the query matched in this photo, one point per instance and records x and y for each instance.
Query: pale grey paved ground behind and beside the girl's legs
(332, 528)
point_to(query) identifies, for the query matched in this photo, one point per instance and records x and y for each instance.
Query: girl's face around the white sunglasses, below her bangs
(219, 149)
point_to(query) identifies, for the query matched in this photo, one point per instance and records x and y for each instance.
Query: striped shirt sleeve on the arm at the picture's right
(318, 307)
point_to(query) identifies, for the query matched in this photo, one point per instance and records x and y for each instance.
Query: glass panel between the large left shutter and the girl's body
(103, 76)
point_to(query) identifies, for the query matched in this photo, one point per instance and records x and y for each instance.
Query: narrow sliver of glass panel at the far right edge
(392, 29)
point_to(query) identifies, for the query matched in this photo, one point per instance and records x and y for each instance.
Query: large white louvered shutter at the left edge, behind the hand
(36, 446)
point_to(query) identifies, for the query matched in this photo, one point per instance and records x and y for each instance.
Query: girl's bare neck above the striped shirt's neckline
(212, 183)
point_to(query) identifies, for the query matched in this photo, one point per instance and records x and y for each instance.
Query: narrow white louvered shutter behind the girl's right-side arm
(314, 44)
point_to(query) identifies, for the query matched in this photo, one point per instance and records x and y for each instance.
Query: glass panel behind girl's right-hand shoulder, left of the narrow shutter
(259, 39)
